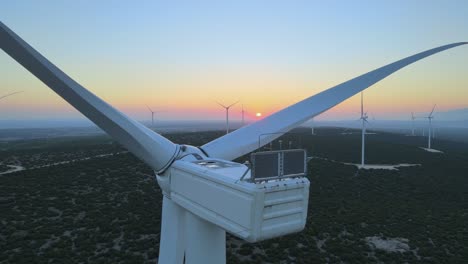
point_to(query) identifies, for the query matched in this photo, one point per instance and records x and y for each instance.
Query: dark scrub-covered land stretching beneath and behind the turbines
(87, 200)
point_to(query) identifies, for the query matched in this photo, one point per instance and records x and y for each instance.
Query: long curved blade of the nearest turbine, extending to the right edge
(251, 137)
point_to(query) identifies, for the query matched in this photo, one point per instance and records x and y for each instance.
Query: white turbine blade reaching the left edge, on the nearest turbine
(155, 150)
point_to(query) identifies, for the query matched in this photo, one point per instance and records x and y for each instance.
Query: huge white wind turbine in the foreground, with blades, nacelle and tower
(200, 202)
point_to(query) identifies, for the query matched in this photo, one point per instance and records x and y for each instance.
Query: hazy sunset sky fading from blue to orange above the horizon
(182, 56)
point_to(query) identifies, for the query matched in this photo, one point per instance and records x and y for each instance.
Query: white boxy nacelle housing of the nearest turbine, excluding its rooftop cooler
(248, 210)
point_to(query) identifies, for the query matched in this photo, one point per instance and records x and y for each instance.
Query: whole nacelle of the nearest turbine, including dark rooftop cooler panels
(266, 199)
